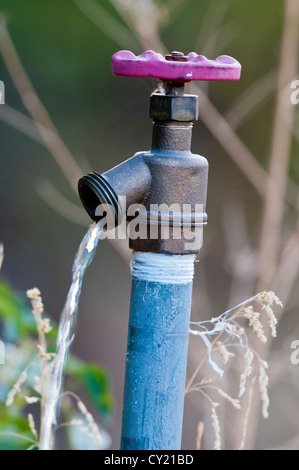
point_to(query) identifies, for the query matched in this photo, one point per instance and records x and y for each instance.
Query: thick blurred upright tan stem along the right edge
(272, 219)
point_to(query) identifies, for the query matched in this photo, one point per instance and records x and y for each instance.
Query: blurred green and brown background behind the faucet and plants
(65, 114)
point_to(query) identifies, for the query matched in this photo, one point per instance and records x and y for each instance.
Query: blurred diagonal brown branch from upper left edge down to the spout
(36, 109)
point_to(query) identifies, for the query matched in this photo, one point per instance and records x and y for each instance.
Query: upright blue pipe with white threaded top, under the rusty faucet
(157, 348)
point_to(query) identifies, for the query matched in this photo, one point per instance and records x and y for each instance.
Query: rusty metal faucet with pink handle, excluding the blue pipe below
(168, 174)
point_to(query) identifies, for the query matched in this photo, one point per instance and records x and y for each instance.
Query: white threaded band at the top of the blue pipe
(159, 267)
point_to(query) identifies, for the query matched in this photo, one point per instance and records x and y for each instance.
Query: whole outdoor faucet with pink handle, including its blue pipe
(167, 187)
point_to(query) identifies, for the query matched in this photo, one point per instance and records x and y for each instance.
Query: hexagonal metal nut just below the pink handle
(181, 108)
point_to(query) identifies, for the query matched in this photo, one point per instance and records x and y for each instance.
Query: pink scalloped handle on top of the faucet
(175, 67)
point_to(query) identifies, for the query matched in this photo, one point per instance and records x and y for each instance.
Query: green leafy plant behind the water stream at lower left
(29, 339)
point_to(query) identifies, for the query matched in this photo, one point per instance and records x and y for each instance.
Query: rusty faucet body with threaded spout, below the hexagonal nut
(169, 174)
